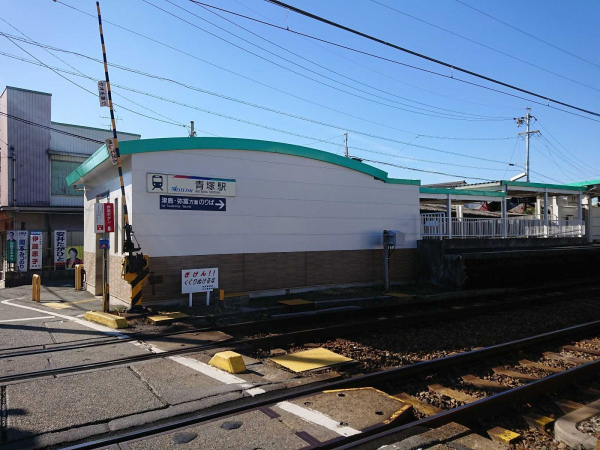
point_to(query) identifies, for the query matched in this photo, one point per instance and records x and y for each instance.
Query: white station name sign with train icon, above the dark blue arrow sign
(160, 183)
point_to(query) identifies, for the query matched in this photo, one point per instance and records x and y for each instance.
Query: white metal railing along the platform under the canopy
(436, 226)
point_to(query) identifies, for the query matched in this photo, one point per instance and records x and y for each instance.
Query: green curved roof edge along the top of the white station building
(195, 143)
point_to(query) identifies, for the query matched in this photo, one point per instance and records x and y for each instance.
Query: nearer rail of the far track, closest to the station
(303, 335)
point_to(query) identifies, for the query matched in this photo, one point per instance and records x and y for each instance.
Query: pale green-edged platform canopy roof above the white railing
(524, 189)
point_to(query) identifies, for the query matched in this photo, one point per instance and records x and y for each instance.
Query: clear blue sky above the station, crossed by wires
(573, 156)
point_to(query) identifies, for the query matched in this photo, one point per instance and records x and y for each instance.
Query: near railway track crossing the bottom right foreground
(491, 404)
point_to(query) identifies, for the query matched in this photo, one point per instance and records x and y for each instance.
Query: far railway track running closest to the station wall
(453, 311)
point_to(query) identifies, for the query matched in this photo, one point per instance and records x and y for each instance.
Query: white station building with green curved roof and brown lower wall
(271, 217)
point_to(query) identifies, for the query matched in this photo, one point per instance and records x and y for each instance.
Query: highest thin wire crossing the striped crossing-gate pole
(259, 82)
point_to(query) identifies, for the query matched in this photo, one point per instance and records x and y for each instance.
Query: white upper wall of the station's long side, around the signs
(283, 203)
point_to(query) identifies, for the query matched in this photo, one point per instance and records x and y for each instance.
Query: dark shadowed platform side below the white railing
(477, 263)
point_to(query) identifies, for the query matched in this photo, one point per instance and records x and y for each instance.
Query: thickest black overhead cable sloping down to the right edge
(428, 58)
